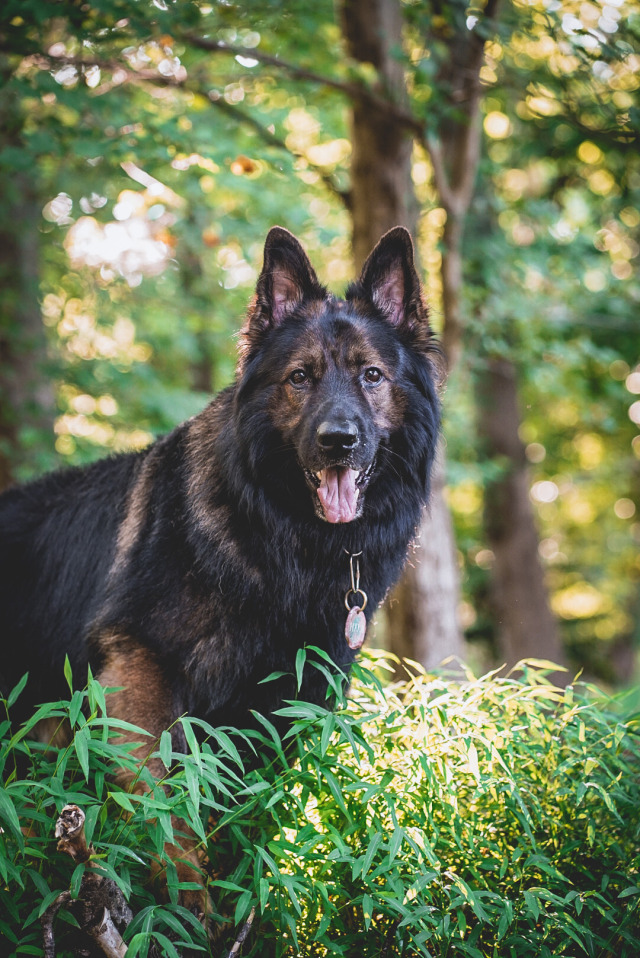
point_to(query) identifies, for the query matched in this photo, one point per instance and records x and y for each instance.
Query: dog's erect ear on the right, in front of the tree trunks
(389, 280)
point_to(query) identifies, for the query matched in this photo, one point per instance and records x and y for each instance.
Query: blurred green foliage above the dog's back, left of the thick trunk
(152, 227)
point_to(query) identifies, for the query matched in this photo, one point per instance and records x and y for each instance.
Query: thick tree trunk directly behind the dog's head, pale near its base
(422, 613)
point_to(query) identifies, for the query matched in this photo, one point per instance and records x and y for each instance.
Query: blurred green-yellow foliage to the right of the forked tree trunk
(551, 287)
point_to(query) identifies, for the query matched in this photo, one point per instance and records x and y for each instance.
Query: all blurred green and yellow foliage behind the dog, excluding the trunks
(173, 123)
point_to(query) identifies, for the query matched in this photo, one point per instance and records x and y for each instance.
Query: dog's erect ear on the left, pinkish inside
(287, 278)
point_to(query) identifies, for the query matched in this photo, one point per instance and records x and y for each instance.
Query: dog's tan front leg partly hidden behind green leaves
(144, 699)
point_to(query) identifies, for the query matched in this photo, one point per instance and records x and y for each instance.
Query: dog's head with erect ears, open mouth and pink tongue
(332, 372)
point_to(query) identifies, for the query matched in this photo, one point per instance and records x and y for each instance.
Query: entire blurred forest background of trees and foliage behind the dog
(146, 148)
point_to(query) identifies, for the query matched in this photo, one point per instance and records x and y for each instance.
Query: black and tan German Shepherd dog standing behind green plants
(188, 572)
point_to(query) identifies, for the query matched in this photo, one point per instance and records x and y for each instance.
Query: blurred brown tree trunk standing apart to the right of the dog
(525, 624)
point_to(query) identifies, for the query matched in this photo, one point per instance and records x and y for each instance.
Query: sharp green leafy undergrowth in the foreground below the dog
(491, 817)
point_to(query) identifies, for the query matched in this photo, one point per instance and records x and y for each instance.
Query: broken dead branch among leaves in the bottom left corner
(101, 909)
